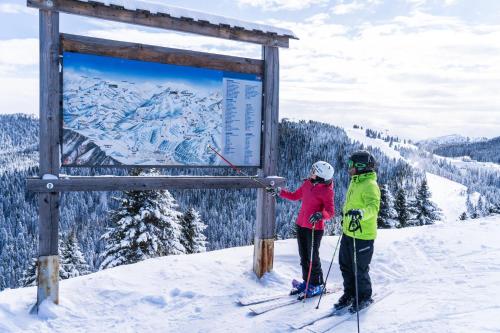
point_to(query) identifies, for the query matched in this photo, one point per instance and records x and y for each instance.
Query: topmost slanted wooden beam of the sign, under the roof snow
(158, 20)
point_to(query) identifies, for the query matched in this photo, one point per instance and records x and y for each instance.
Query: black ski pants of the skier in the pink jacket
(304, 239)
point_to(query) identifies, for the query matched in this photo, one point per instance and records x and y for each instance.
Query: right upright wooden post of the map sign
(266, 205)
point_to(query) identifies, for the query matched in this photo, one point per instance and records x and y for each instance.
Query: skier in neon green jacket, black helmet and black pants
(359, 226)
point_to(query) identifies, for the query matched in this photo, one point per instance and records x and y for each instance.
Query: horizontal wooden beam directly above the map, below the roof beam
(135, 51)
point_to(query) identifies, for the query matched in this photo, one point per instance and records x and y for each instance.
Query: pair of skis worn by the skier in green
(338, 317)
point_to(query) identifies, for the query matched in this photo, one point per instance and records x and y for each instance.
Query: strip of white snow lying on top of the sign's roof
(182, 13)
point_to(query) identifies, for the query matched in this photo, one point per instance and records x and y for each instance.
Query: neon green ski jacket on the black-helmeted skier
(363, 194)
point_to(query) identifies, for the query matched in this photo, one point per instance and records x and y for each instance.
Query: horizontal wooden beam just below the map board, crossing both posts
(127, 183)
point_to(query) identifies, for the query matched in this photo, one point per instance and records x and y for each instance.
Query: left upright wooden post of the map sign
(48, 268)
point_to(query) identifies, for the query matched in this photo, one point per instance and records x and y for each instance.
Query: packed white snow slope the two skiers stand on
(443, 278)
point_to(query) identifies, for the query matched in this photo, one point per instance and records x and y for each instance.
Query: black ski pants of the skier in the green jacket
(364, 251)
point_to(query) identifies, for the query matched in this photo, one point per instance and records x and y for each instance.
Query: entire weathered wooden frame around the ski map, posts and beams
(49, 184)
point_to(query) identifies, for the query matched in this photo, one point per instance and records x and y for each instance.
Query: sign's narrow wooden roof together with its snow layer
(172, 18)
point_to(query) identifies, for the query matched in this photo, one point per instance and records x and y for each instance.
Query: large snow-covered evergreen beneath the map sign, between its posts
(146, 225)
